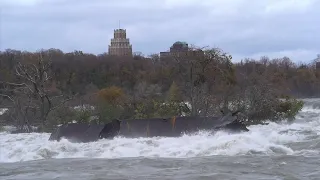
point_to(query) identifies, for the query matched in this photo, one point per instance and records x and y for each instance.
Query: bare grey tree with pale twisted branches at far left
(32, 93)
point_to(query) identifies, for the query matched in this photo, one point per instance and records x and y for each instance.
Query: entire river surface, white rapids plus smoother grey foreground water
(275, 151)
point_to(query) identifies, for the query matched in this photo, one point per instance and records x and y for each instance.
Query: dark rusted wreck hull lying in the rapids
(135, 128)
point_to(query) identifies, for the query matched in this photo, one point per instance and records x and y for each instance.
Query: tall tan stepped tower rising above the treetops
(120, 44)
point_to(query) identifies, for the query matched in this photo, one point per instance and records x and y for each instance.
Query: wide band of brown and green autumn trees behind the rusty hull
(40, 87)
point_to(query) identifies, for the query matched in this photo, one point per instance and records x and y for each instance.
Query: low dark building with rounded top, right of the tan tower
(181, 49)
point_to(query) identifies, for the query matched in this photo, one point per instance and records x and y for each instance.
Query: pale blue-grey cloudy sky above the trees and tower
(243, 28)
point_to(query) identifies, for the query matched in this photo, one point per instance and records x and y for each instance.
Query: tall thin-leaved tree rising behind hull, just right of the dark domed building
(200, 71)
